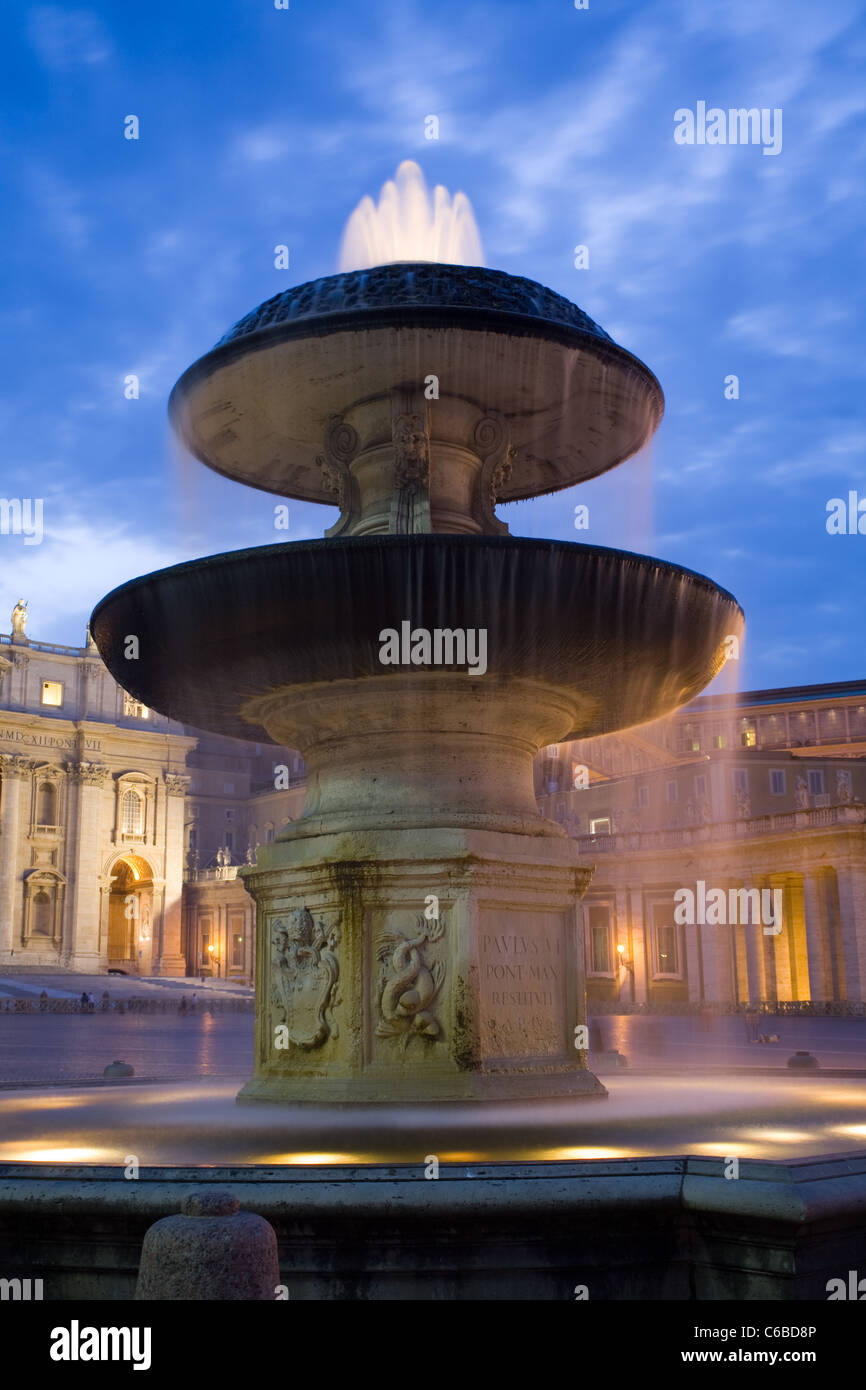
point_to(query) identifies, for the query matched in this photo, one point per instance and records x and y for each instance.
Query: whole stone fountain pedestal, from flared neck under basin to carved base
(419, 933)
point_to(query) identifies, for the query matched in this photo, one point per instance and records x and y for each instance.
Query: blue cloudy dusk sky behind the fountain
(263, 127)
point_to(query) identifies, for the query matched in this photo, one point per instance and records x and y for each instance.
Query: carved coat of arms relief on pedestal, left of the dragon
(305, 978)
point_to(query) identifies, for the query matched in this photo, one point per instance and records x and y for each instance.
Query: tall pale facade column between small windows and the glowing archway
(83, 946)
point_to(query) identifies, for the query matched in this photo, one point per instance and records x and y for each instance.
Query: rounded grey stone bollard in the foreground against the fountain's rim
(212, 1252)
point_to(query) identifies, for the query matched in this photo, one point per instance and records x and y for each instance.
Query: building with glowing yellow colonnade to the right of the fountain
(757, 794)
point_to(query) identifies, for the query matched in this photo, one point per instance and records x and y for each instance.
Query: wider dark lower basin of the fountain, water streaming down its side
(632, 636)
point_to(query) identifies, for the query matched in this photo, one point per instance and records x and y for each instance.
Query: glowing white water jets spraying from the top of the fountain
(411, 226)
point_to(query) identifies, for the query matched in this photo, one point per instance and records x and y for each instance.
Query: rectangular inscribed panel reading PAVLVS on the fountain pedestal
(523, 983)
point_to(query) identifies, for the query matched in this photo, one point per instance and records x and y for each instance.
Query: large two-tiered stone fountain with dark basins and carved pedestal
(419, 928)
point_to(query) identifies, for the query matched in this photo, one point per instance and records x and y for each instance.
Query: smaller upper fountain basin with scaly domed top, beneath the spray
(259, 407)
